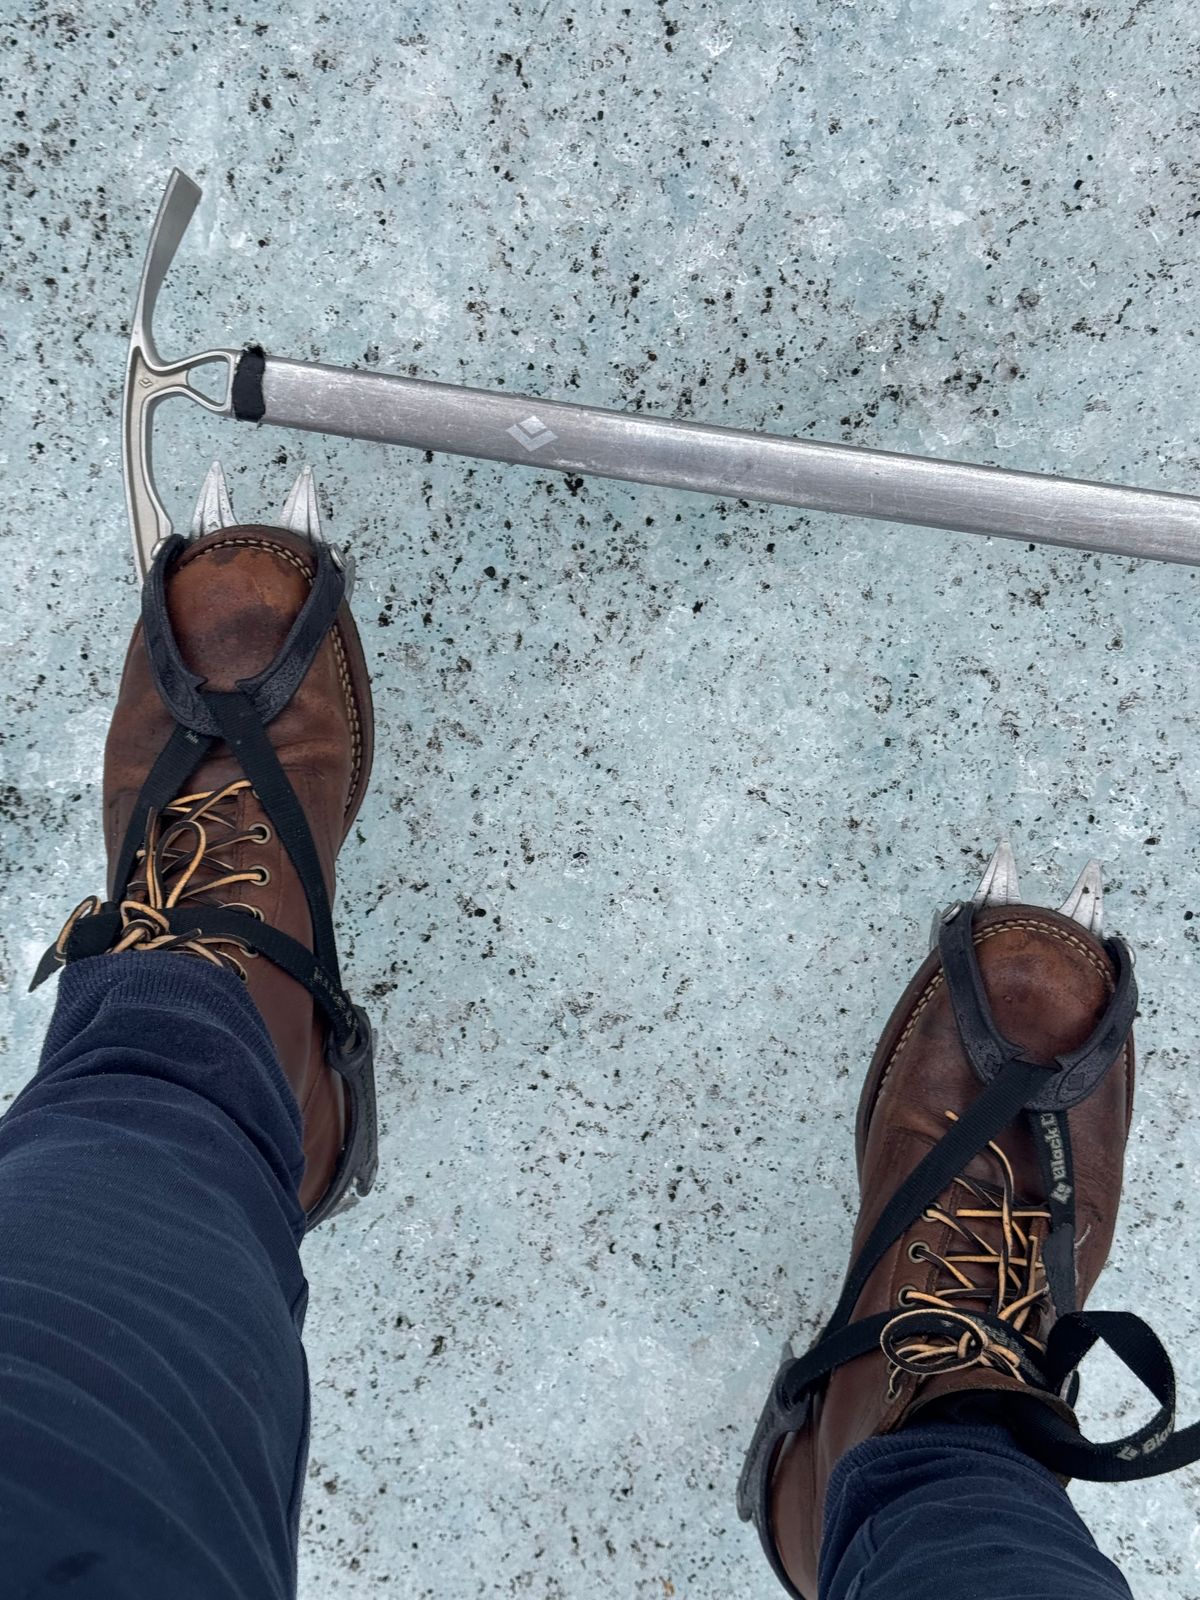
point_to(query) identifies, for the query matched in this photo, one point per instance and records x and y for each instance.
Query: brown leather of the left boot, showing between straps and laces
(233, 599)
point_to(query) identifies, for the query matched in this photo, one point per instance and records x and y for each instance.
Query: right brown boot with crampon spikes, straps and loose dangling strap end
(991, 1140)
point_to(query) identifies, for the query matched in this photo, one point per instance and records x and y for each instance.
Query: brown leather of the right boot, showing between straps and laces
(1049, 983)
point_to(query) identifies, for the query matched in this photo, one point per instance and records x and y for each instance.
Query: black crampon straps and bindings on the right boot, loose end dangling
(1014, 1082)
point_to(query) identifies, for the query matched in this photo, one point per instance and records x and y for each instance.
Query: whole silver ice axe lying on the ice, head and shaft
(580, 439)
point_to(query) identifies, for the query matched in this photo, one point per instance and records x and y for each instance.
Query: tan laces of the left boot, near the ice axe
(183, 862)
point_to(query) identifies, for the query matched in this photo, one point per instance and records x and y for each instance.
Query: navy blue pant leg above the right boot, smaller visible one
(956, 1513)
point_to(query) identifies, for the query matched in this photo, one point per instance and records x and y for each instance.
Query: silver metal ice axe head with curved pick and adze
(150, 380)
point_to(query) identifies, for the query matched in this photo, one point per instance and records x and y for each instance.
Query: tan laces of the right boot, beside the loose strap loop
(1006, 1274)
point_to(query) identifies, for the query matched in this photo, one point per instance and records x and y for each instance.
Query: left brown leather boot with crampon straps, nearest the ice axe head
(238, 759)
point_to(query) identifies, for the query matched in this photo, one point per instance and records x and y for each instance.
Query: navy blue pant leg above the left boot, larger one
(154, 1398)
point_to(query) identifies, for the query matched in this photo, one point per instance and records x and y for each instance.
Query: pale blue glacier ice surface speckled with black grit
(666, 791)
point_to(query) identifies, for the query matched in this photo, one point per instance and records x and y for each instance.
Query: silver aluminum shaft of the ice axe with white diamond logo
(551, 434)
